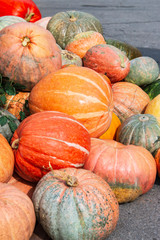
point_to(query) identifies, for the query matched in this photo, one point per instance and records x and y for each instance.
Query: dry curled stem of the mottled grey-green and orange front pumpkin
(71, 181)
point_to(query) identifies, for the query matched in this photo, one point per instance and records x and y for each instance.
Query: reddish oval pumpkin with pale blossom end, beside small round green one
(108, 60)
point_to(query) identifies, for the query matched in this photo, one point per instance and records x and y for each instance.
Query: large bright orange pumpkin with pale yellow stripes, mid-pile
(77, 91)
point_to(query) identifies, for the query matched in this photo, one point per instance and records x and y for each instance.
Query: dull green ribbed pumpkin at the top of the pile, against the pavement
(65, 25)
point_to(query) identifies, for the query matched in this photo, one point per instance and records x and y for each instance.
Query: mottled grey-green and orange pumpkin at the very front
(75, 204)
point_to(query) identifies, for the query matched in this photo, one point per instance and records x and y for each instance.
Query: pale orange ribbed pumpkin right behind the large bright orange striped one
(128, 99)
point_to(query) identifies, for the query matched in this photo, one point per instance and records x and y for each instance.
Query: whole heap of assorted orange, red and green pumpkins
(90, 136)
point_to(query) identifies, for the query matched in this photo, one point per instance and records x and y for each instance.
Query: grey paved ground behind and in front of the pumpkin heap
(138, 23)
